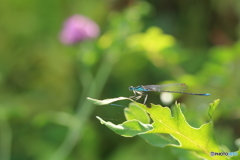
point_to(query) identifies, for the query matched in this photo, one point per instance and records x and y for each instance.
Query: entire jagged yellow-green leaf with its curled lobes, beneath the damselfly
(201, 140)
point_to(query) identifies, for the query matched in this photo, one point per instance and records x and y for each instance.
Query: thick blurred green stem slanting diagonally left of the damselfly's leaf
(84, 111)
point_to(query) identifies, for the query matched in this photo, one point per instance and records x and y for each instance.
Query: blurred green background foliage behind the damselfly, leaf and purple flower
(44, 83)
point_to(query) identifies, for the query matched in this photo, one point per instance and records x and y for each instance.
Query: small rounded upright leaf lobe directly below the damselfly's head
(136, 112)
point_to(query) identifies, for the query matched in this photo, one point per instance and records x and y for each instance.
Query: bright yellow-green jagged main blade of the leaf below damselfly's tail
(201, 139)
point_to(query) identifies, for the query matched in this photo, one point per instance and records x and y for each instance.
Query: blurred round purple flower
(78, 28)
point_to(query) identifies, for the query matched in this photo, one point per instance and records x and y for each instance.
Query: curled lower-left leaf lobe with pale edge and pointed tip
(128, 128)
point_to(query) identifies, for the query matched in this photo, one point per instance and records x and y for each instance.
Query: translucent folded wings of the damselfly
(179, 87)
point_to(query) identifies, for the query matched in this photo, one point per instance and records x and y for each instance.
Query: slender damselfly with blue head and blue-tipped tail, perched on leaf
(142, 90)
